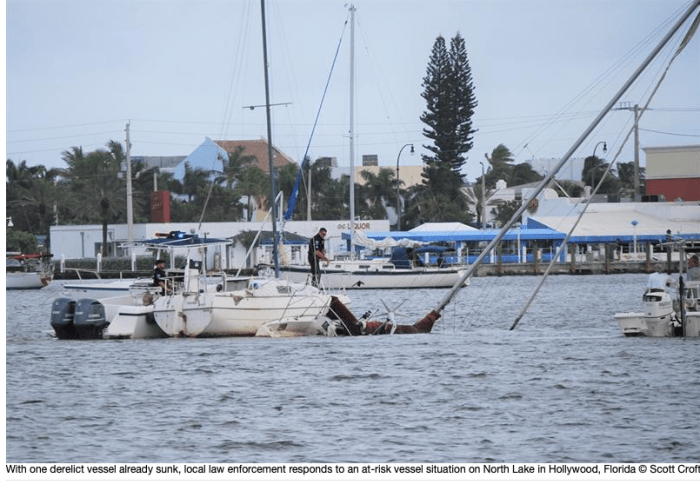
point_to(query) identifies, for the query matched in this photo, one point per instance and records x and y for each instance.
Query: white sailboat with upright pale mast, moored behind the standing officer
(380, 273)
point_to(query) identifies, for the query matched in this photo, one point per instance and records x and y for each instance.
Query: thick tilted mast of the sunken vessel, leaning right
(468, 273)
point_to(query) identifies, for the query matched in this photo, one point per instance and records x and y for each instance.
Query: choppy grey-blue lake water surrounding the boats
(565, 386)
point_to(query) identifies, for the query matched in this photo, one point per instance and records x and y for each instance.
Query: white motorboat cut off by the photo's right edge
(671, 305)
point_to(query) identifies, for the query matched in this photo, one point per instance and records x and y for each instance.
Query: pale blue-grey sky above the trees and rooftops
(177, 72)
